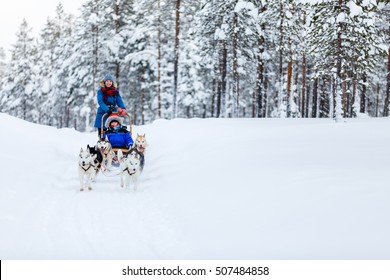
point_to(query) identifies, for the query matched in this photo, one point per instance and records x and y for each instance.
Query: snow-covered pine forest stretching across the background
(203, 59)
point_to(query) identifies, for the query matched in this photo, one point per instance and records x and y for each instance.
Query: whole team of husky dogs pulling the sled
(101, 156)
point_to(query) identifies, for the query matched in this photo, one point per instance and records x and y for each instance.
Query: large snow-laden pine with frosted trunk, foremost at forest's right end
(344, 38)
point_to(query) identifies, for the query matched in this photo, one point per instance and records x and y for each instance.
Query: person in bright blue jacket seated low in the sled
(117, 134)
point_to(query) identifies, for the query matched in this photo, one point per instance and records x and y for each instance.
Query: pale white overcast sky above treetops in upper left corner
(35, 12)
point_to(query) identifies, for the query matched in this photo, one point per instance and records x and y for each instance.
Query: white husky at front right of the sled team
(130, 169)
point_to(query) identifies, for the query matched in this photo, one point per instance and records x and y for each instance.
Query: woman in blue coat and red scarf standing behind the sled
(109, 100)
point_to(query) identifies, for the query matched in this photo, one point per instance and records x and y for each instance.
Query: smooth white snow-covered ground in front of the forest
(211, 189)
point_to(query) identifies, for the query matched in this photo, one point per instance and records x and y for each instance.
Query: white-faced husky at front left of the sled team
(86, 168)
